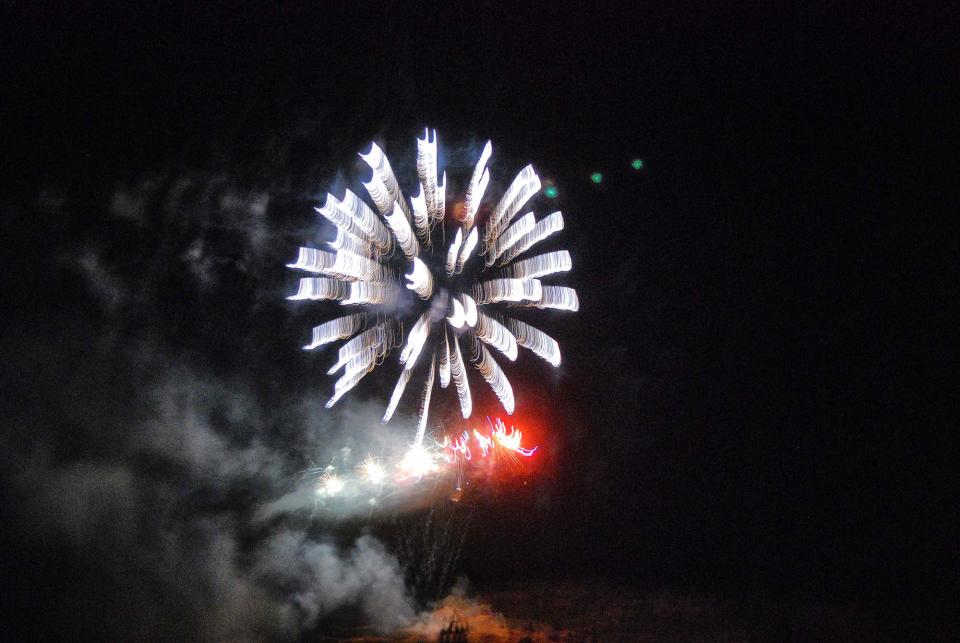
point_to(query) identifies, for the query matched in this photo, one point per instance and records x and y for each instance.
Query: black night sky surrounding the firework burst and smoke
(755, 393)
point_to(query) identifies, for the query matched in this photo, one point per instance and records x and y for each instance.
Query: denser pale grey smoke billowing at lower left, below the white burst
(157, 513)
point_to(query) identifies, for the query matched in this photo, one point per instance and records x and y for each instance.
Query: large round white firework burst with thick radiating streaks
(382, 256)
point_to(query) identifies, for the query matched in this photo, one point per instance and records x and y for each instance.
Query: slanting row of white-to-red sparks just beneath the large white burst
(428, 460)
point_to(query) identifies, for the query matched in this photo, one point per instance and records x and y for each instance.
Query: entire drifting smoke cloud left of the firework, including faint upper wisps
(160, 419)
